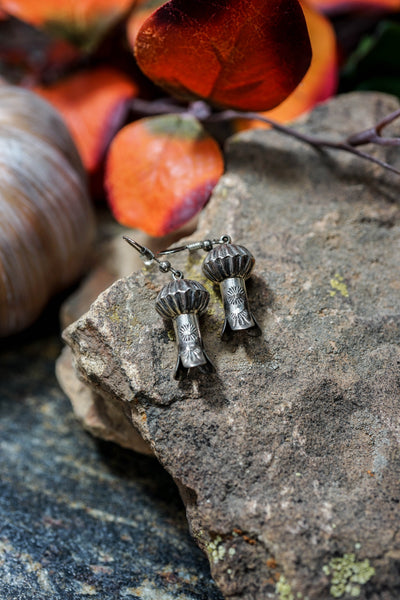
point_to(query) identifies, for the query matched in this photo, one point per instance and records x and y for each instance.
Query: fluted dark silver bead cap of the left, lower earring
(182, 296)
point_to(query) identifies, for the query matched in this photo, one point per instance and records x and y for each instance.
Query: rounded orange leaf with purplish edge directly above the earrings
(160, 172)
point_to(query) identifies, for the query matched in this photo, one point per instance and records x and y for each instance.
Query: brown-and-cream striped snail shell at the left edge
(46, 220)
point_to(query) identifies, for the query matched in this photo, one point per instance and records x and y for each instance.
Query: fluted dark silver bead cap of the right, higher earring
(228, 261)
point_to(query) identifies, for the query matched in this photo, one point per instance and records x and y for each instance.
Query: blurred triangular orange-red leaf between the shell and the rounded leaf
(93, 104)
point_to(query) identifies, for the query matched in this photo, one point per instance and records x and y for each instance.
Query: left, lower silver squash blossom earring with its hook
(182, 301)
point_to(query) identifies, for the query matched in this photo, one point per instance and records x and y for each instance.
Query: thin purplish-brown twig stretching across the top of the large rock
(204, 113)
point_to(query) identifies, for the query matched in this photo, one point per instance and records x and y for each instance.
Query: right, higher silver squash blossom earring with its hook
(229, 265)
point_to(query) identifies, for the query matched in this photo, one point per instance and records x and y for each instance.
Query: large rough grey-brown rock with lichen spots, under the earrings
(288, 458)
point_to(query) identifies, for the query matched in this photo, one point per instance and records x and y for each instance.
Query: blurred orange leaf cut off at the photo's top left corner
(81, 21)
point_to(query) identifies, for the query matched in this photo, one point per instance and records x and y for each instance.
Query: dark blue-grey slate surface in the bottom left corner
(81, 518)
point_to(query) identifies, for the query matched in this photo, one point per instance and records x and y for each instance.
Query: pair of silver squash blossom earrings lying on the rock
(183, 300)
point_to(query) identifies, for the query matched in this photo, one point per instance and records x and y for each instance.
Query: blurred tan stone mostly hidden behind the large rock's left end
(114, 260)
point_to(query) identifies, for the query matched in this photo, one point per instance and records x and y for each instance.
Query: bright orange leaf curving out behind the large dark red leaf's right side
(320, 81)
